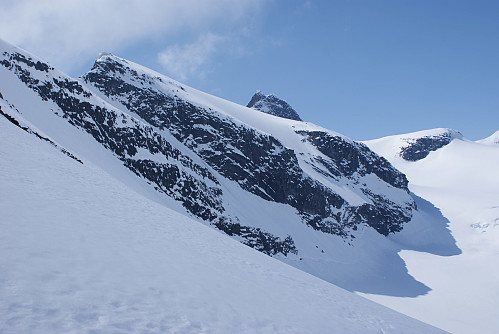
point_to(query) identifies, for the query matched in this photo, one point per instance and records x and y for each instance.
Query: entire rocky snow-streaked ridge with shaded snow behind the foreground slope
(305, 195)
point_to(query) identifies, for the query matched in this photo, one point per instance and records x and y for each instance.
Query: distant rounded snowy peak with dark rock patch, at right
(417, 145)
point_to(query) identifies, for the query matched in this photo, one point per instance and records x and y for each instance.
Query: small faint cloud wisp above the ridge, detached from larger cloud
(183, 61)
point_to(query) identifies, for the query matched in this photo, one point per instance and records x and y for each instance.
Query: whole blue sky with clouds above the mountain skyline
(366, 69)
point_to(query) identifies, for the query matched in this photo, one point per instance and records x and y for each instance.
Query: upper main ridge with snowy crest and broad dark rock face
(328, 179)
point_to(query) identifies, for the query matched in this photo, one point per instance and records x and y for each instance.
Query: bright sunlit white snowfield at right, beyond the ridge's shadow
(462, 180)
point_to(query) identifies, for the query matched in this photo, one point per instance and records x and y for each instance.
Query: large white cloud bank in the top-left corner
(69, 31)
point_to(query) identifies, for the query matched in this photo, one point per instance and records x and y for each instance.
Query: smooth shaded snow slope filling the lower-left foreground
(81, 253)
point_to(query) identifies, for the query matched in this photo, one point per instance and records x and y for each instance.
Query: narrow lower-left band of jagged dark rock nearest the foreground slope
(180, 178)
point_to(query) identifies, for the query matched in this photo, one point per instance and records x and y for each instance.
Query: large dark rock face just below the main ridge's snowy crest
(258, 162)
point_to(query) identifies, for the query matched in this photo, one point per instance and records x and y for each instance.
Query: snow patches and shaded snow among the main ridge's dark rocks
(369, 263)
